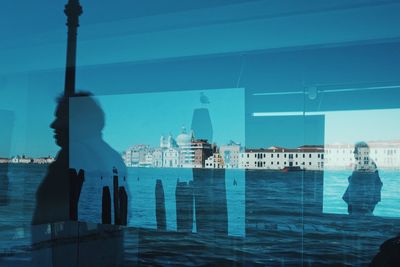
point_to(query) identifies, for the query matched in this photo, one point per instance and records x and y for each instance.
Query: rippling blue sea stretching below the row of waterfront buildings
(240, 217)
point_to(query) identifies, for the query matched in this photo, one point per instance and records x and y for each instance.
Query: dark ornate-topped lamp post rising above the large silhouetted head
(73, 10)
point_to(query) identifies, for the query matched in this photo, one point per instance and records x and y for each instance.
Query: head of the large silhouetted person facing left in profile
(83, 112)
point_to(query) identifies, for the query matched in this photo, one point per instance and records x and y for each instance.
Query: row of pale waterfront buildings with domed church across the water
(187, 152)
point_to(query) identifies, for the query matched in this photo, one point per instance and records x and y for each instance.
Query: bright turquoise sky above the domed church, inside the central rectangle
(143, 118)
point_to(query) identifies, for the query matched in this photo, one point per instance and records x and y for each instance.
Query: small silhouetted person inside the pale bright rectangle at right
(364, 190)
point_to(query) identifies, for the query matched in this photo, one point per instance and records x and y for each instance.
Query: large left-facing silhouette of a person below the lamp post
(82, 148)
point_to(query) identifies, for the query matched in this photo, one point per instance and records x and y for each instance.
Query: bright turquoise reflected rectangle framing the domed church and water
(193, 193)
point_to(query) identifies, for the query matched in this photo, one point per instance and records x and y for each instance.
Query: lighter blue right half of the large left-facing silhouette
(103, 165)
